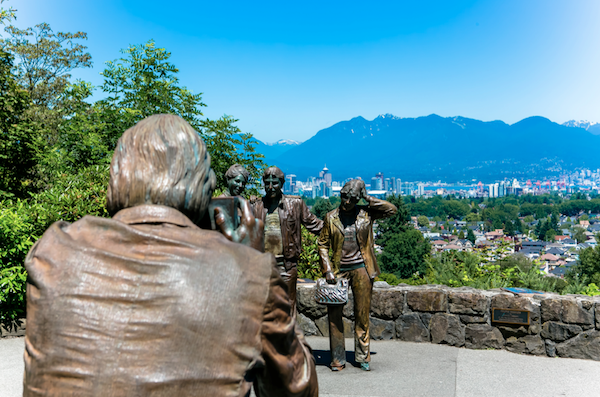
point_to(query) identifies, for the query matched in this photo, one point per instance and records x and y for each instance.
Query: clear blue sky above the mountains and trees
(290, 69)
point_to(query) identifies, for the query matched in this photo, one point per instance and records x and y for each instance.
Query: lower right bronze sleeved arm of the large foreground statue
(289, 364)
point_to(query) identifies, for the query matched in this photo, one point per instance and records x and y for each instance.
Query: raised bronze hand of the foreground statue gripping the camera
(250, 232)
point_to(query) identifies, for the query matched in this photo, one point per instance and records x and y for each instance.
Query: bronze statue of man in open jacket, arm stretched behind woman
(283, 216)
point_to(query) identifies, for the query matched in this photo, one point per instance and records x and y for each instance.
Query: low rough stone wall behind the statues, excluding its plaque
(564, 326)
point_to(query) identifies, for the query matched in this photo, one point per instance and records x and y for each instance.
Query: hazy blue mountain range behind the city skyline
(433, 148)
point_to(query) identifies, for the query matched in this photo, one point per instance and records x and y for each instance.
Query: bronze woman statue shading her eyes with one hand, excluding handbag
(348, 232)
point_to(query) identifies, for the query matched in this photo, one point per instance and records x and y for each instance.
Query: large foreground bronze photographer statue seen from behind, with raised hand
(149, 304)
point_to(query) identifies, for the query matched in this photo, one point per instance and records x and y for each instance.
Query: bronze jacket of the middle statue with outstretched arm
(293, 213)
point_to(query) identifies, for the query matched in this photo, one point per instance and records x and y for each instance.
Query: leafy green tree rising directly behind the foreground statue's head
(144, 82)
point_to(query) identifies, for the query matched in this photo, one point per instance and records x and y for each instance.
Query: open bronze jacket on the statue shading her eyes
(332, 235)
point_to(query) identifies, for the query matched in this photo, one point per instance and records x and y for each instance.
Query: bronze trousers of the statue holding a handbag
(362, 288)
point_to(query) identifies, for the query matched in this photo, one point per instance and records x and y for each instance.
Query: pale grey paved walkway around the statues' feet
(412, 369)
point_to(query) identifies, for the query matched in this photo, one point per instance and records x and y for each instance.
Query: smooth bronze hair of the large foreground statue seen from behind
(161, 160)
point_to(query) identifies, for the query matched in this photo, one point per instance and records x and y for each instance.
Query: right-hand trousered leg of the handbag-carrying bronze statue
(362, 287)
